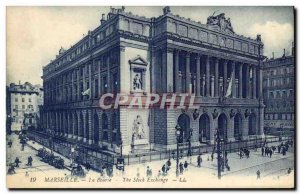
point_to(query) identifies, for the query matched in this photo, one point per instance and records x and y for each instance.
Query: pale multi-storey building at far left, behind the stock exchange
(24, 101)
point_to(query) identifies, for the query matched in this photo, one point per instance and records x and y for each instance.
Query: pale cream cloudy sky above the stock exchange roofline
(34, 35)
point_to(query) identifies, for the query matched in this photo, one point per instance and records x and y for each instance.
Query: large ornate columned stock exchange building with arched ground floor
(132, 54)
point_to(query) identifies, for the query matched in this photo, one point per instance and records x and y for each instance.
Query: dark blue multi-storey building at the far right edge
(279, 93)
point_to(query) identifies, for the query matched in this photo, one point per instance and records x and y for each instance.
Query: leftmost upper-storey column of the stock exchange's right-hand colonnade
(169, 70)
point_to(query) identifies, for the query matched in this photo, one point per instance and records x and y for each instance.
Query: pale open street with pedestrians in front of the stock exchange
(272, 169)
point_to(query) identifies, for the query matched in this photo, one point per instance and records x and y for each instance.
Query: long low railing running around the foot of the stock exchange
(96, 158)
